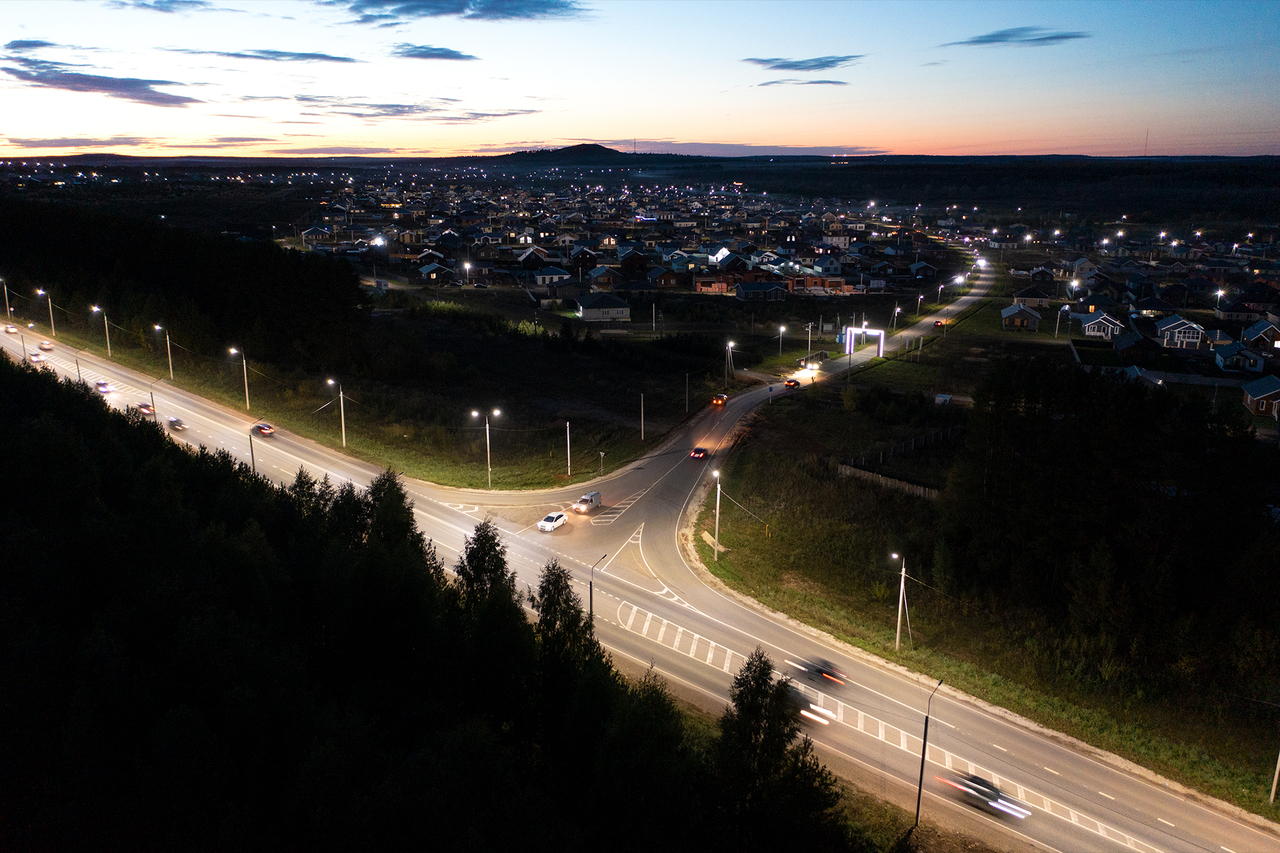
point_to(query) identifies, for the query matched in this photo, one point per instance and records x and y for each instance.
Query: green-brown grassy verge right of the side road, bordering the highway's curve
(835, 573)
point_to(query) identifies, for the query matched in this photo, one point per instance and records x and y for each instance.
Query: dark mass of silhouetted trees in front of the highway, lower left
(193, 659)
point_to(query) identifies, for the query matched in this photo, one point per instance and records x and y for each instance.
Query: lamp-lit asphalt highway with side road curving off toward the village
(655, 605)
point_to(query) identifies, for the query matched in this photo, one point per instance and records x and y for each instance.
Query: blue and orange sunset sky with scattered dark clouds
(450, 77)
